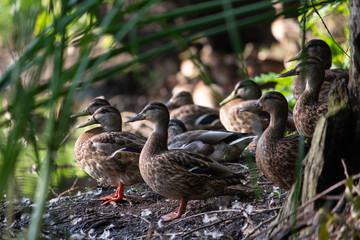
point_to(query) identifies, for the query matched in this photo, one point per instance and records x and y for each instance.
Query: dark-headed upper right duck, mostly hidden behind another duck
(320, 49)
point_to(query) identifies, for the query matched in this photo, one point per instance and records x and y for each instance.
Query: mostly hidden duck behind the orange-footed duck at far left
(142, 129)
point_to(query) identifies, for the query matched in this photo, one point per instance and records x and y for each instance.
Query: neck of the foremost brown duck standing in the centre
(157, 141)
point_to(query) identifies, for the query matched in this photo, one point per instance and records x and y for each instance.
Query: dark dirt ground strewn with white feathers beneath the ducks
(80, 216)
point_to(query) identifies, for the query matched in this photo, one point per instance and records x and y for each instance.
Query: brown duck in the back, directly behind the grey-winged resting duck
(182, 107)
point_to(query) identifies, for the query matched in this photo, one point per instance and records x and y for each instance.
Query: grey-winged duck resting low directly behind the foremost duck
(220, 146)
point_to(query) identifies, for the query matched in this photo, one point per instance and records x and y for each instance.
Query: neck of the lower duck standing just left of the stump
(277, 126)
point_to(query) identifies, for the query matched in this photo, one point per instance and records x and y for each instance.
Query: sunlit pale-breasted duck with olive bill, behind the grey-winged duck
(245, 93)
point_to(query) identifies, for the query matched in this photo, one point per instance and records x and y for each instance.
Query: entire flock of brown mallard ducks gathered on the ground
(182, 158)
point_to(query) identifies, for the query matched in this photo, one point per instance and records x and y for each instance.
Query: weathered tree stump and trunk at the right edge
(336, 138)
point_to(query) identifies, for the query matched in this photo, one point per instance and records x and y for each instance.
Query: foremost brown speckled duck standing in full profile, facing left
(178, 174)
